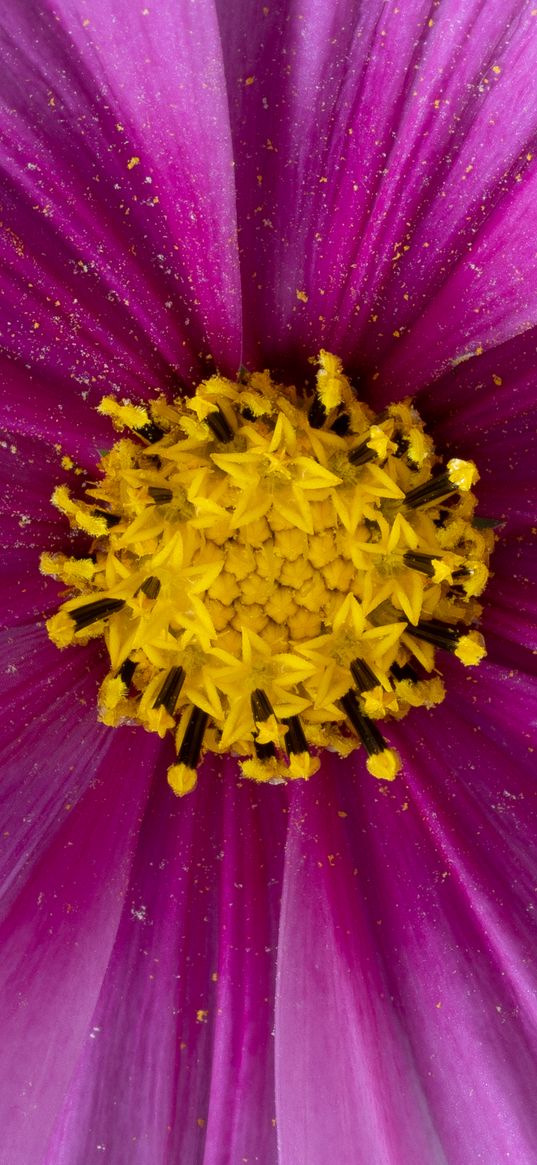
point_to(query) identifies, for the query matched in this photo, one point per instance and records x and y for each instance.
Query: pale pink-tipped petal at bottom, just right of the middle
(348, 1090)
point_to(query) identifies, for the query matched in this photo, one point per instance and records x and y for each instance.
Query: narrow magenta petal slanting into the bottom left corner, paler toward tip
(56, 945)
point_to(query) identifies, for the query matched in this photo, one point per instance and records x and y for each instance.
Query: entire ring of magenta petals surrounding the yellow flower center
(334, 970)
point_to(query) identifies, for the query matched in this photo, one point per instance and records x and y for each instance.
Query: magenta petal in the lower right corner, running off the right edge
(458, 936)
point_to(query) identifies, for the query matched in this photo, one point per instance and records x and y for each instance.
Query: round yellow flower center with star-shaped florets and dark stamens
(273, 573)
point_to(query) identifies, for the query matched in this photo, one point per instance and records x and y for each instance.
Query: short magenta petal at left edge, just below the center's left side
(52, 747)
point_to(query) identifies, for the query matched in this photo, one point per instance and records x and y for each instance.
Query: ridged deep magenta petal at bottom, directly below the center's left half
(180, 1061)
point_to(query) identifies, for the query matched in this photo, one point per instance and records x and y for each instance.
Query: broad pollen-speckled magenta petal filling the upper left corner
(118, 217)
